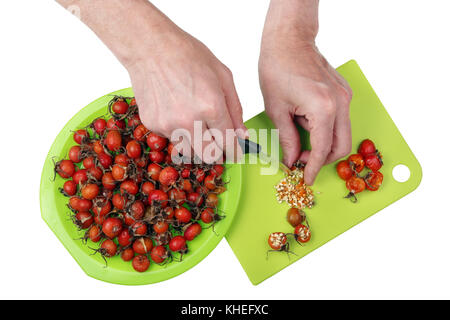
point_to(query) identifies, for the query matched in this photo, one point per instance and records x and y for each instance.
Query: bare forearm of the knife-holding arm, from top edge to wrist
(131, 29)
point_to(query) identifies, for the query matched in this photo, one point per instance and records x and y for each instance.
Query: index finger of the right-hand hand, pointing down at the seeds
(321, 138)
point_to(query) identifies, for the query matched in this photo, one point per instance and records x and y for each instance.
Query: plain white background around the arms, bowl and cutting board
(52, 65)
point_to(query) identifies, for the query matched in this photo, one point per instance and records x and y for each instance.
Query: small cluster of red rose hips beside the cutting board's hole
(351, 170)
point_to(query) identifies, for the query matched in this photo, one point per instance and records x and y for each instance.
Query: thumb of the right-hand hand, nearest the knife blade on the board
(289, 137)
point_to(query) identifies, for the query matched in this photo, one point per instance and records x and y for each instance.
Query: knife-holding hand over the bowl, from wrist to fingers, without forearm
(181, 81)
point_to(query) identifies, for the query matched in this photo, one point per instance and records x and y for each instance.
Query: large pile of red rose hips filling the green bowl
(129, 196)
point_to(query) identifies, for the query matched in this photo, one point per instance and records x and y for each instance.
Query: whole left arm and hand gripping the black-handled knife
(176, 79)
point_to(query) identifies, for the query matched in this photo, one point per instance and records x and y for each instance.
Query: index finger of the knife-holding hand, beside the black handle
(234, 105)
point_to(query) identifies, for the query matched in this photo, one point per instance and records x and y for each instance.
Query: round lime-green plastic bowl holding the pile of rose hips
(56, 214)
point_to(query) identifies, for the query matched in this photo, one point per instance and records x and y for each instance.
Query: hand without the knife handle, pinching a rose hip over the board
(299, 86)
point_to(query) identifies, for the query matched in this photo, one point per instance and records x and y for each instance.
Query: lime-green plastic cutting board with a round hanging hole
(259, 214)
